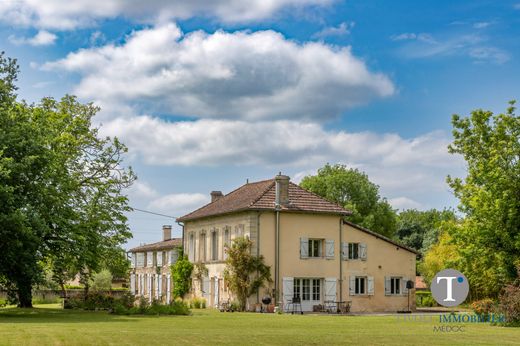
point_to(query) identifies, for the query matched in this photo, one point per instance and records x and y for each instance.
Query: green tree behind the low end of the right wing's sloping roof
(421, 229)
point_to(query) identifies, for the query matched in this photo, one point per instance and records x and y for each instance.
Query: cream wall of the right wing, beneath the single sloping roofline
(383, 259)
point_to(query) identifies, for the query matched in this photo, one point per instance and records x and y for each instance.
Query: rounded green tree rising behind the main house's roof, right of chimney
(352, 189)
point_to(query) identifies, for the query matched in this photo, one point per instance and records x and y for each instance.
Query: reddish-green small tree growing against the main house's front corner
(244, 272)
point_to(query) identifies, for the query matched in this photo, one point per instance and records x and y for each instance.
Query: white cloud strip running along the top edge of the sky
(62, 15)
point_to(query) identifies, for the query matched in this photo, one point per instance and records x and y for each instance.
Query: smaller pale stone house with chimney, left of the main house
(150, 275)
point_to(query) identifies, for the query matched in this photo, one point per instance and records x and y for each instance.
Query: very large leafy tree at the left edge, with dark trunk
(61, 187)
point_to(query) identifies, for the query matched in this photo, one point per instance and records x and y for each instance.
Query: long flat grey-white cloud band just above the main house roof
(402, 165)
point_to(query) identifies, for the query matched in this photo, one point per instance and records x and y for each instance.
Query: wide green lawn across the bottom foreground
(49, 325)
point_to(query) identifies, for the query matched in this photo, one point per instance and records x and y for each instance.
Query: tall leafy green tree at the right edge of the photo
(489, 237)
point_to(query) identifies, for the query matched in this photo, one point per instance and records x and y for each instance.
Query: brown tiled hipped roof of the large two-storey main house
(261, 196)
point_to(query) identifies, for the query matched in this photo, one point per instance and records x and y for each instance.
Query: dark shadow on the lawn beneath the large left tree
(46, 315)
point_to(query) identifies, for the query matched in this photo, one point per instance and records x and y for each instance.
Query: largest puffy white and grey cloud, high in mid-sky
(259, 75)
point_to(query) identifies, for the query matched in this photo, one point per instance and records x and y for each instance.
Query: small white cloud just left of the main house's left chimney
(179, 204)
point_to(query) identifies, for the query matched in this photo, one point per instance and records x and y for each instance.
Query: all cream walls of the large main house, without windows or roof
(394, 261)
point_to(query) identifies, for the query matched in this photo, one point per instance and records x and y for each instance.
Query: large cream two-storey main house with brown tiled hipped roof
(314, 252)
